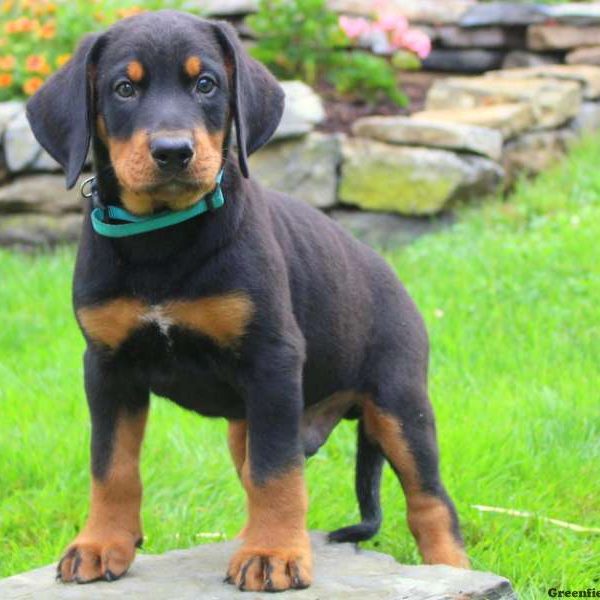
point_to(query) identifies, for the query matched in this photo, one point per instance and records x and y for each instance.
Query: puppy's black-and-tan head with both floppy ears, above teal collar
(159, 91)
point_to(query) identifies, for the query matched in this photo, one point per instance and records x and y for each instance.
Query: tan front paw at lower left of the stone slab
(91, 558)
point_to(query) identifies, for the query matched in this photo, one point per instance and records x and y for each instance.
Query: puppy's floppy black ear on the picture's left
(60, 113)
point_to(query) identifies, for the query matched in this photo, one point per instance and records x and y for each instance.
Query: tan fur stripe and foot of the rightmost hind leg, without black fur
(429, 518)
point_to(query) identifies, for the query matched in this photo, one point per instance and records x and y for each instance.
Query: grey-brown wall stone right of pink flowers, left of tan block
(452, 36)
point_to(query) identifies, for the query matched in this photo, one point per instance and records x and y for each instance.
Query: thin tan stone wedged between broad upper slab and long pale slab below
(509, 119)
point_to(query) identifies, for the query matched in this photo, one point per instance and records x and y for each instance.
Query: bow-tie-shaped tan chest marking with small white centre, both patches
(221, 318)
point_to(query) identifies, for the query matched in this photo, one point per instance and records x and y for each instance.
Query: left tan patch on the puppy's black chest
(113, 322)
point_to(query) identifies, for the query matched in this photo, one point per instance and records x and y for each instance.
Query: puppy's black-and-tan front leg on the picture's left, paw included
(105, 548)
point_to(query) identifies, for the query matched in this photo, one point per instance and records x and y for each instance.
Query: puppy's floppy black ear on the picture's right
(257, 97)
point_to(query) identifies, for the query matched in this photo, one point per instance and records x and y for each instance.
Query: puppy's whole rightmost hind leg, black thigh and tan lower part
(400, 420)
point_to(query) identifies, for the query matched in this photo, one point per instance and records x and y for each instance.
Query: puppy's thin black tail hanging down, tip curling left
(369, 465)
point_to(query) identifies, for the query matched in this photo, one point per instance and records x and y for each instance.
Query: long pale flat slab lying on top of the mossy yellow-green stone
(413, 132)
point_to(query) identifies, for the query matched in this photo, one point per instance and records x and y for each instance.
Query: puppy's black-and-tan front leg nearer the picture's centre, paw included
(276, 553)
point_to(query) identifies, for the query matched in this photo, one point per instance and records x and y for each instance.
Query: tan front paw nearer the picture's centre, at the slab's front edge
(270, 570)
